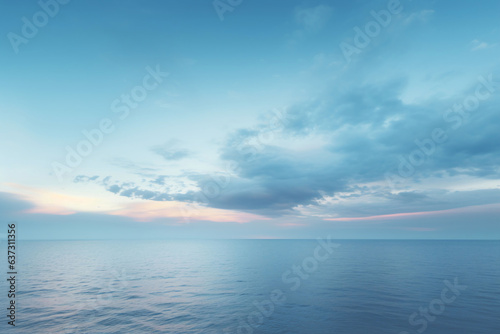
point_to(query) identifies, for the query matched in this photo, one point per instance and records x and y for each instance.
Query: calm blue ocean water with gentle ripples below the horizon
(257, 286)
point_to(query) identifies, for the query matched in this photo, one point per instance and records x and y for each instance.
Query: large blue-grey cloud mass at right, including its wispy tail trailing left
(344, 141)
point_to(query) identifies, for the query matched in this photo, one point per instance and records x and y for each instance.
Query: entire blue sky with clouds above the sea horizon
(250, 119)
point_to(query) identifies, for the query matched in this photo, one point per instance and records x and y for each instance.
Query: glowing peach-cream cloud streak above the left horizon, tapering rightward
(145, 208)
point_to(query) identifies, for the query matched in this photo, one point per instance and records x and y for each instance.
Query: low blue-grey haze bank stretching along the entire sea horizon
(155, 225)
